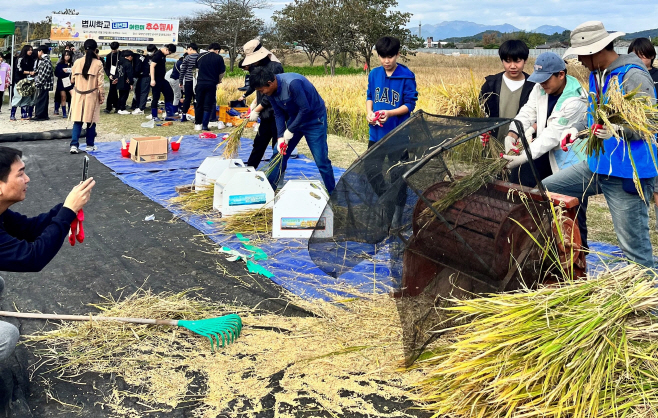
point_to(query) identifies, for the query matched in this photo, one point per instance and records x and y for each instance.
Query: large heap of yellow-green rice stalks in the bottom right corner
(586, 349)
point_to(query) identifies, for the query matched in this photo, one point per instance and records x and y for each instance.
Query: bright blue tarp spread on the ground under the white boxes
(288, 259)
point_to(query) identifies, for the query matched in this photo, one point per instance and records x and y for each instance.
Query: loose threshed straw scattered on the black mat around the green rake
(342, 361)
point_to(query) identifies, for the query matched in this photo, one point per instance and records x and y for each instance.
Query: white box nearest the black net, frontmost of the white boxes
(298, 211)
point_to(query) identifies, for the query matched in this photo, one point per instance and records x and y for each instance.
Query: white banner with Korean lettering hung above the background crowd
(77, 28)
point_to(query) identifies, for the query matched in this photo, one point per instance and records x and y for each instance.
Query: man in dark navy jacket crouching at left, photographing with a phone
(29, 244)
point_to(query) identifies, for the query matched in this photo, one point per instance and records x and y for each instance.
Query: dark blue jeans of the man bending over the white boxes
(316, 138)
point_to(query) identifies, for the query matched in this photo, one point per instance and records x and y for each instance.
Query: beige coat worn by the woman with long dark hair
(87, 107)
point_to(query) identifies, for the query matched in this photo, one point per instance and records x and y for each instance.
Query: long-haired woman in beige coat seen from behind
(87, 96)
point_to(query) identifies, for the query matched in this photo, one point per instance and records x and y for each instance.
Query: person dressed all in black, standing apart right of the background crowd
(211, 69)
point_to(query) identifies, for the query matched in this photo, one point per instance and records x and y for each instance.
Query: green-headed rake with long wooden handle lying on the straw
(224, 328)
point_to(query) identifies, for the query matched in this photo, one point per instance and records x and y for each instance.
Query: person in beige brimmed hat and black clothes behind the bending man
(257, 56)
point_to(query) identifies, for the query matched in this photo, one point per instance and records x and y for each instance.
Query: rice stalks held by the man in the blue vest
(629, 110)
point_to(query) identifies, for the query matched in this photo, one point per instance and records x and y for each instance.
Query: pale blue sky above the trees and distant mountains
(627, 16)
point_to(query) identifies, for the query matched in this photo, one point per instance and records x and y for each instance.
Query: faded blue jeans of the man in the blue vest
(630, 214)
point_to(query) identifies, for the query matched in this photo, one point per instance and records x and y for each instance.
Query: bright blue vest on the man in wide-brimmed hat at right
(615, 160)
